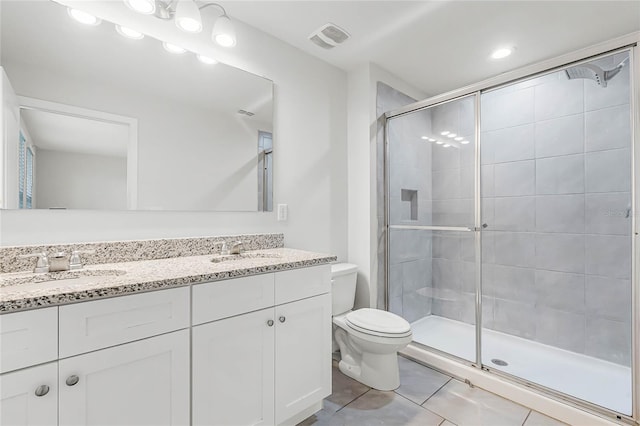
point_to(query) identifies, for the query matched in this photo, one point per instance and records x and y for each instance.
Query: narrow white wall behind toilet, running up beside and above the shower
(363, 175)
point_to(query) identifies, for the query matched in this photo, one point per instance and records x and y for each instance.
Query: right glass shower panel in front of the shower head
(556, 253)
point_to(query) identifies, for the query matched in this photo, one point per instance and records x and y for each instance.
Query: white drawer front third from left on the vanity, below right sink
(222, 299)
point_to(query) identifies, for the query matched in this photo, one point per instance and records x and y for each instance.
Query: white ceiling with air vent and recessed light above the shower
(438, 46)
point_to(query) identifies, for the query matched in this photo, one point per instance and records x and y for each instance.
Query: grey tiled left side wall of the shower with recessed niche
(410, 262)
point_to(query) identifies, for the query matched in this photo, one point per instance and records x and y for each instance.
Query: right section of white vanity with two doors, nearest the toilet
(266, 366)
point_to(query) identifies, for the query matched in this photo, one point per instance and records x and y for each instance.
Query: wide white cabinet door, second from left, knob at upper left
(140, 383)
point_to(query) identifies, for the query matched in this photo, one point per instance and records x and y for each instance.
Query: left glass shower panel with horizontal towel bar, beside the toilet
(431, 264)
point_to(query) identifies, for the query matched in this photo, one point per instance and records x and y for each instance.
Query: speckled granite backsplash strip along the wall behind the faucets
(130, 251)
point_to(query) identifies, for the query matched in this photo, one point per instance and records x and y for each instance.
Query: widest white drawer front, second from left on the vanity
(94, 325)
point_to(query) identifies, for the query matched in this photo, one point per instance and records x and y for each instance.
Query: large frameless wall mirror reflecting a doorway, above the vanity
(95, 120)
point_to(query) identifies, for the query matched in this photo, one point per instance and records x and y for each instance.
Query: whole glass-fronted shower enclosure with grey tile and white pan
(509, 218)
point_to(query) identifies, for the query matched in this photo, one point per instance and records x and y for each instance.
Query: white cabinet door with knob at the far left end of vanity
(20, 404)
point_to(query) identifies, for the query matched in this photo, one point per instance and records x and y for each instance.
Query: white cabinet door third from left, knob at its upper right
(233, 375)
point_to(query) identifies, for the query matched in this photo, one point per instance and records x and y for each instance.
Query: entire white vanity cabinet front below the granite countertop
(254, 350)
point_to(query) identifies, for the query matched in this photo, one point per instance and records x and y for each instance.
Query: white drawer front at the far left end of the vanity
(28, 338)
